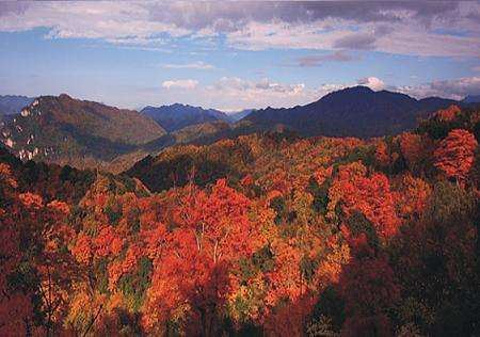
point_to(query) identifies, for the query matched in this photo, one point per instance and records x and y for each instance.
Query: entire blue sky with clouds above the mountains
(237, 55)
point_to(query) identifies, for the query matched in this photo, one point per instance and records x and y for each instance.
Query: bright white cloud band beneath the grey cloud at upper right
(405, 38)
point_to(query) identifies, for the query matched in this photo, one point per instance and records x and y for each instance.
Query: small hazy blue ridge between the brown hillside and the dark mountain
(178, 116)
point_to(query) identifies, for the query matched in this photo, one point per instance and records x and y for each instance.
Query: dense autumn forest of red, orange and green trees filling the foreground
(261, 235)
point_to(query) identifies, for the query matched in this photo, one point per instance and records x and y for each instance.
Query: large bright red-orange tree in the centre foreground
(209, 233)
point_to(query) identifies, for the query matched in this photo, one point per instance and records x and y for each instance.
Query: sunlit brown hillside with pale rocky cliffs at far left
(82, 133)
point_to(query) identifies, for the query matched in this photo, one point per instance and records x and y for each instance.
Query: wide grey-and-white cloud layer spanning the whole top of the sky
(408, 28)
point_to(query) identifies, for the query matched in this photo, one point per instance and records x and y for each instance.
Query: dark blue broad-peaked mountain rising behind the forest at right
(356, 111)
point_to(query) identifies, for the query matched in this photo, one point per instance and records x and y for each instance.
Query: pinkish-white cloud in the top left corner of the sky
(115, 22)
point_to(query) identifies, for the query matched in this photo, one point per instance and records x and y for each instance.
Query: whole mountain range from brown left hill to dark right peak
(83, 134)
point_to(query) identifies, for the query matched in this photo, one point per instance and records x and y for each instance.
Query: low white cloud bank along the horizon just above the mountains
(234, 93)
